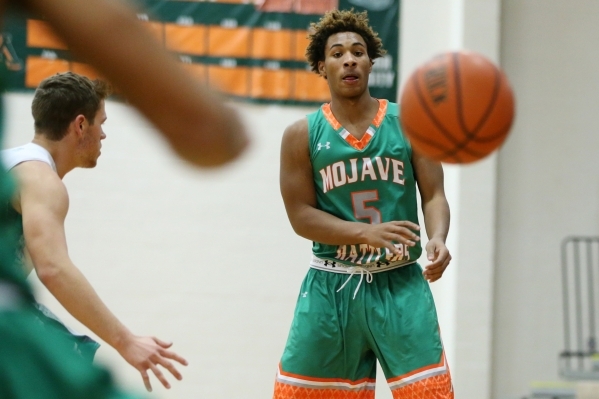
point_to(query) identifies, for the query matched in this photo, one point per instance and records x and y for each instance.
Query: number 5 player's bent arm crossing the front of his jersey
(299, 195)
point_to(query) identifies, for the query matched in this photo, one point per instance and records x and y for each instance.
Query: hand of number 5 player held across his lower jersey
(386, 235)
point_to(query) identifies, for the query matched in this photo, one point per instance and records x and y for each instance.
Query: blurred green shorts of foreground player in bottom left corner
(40, 363)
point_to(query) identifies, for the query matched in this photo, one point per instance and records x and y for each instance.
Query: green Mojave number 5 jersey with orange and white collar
(369, 180)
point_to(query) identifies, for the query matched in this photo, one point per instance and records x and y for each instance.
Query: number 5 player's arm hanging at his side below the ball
(429, 176)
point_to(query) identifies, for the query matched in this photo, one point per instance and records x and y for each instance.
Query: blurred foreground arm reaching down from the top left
(107, 35)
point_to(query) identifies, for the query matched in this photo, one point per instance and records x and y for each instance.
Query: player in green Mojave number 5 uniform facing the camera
(348, 180)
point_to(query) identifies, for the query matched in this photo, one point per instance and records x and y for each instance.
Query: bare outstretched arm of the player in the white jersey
(44, 202)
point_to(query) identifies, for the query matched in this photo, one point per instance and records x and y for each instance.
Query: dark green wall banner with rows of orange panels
(247, 49)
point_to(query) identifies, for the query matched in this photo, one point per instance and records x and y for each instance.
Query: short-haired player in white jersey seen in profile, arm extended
(68, 110)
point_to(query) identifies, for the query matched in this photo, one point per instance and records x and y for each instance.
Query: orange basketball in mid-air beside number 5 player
(457, 108)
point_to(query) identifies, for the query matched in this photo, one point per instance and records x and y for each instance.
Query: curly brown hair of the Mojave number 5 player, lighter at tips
(336, 21)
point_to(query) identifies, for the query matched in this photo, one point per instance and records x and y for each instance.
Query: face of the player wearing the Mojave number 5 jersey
(346, 65)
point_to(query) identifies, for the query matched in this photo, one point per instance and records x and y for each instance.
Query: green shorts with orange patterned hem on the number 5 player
(338, 334)
